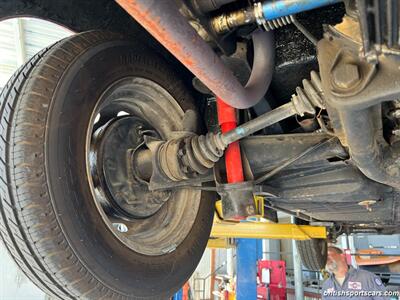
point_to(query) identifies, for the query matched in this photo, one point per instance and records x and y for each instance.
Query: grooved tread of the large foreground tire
(28, 226)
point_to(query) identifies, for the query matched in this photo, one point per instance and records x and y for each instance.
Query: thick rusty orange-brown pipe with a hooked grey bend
(164, 22)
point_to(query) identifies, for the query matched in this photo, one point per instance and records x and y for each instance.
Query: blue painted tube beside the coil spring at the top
(274, 9)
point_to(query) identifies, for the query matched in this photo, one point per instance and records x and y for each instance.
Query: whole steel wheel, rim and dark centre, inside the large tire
(119, 167)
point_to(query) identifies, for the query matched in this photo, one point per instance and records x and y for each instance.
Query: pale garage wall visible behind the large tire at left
(20, 39)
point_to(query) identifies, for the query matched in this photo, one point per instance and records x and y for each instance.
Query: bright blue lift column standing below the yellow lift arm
(246, 269)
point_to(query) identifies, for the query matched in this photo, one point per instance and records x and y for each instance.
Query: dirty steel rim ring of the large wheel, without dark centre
(164, 231)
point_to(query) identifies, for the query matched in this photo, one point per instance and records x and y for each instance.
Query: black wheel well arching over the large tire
(80, 16)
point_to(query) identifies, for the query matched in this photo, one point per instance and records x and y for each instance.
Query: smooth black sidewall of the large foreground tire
(70, 110)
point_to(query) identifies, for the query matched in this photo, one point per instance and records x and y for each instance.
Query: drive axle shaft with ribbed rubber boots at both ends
(193, 155)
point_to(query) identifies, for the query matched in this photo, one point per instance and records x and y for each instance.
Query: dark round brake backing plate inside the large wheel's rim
(127, 195)
